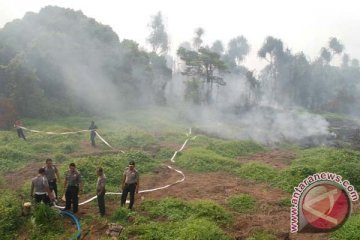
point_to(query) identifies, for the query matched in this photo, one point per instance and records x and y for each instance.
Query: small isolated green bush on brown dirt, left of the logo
(243, 203)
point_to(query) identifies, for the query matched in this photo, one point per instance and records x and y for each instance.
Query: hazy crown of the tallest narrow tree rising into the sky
(158, 38)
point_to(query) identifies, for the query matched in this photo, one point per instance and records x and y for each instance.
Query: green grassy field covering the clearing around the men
(150, 138)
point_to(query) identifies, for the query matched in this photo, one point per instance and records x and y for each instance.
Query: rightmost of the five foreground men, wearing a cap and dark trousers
(130, 183)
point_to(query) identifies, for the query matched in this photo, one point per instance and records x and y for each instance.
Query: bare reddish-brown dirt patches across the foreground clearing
(218, 186)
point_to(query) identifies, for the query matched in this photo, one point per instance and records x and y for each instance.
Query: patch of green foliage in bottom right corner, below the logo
(349, 231)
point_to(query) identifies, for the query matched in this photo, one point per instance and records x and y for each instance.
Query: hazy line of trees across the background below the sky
(61, 62)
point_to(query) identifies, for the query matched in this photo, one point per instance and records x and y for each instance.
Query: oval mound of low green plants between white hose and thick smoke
(235, 148)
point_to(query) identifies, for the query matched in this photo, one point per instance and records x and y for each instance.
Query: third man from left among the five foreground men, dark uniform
(72, 184)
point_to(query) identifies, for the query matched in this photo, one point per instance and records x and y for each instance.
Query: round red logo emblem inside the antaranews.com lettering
(326, 207)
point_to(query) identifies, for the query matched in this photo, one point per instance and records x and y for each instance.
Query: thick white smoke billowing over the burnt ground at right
(266, 123)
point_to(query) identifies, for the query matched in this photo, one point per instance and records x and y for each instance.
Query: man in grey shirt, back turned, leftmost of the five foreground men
(40, 186)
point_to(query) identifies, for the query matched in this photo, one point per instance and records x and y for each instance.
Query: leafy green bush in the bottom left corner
(10, 220)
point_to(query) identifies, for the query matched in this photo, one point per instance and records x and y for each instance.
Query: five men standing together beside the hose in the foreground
(44, 186)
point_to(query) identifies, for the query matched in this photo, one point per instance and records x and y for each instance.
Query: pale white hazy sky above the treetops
(302, 25)
